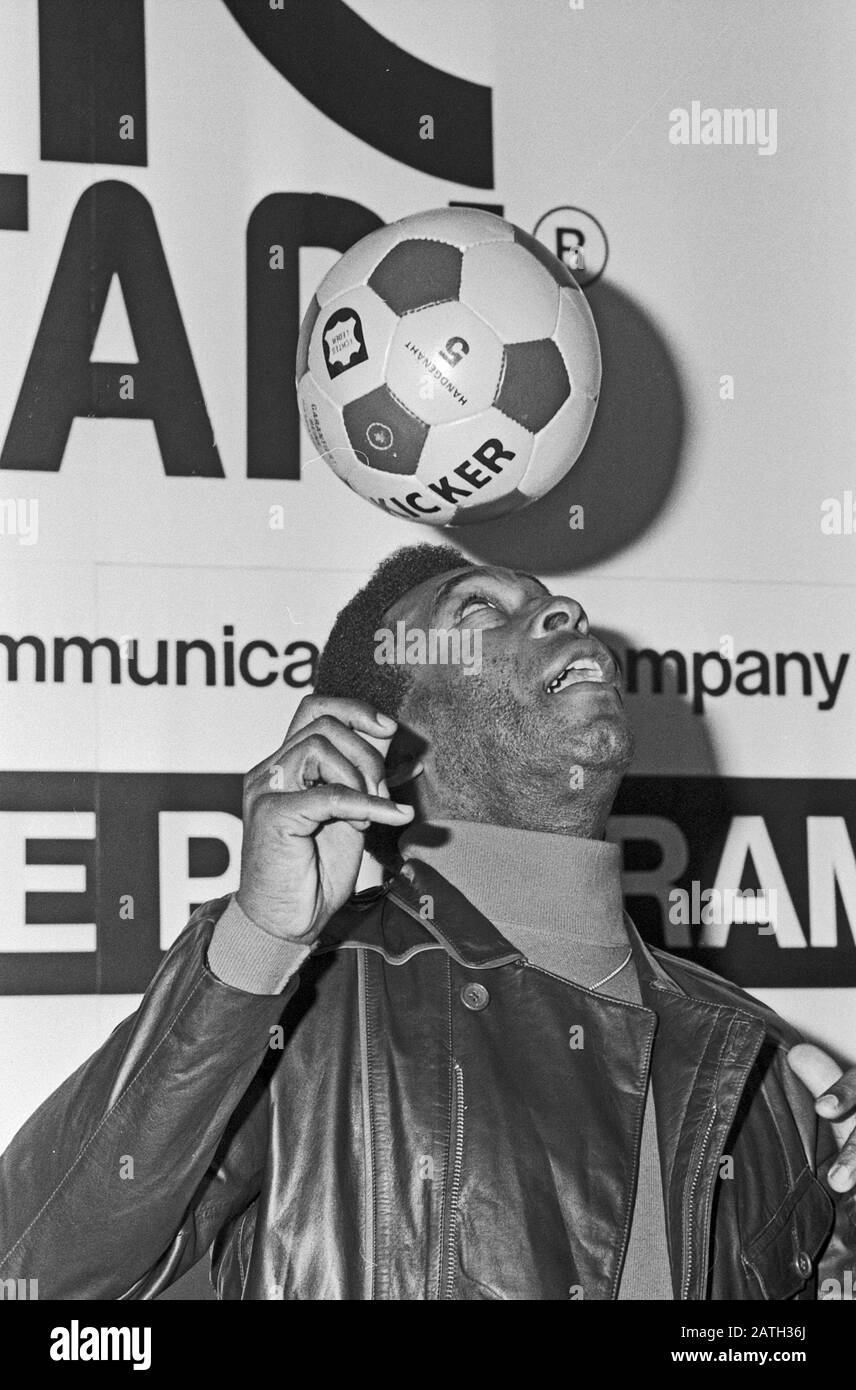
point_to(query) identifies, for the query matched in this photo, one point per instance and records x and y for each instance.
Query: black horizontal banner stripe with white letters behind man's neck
(673, 833)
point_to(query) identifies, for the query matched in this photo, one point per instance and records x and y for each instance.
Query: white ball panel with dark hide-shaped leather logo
(349, 345)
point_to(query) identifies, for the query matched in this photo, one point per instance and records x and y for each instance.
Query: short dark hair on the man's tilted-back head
(347, 667)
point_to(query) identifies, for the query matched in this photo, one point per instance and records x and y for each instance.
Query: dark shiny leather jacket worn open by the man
(422, 1114)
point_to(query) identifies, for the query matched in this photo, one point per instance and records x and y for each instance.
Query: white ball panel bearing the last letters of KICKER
(475, 461)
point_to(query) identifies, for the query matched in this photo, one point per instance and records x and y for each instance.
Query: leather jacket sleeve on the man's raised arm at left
(124, 1177)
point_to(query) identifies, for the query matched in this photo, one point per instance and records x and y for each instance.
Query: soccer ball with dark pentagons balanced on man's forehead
(448, 368)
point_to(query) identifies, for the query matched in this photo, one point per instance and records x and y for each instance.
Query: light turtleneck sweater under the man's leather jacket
(558, 899)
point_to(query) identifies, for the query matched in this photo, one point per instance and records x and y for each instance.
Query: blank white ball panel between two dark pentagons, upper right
(511, 291)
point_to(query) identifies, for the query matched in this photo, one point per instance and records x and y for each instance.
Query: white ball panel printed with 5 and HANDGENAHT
(444, 363)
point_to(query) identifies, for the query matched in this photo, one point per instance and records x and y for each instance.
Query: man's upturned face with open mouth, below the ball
(547, 701)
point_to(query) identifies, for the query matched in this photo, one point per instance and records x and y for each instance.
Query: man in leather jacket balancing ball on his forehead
(472, 1082)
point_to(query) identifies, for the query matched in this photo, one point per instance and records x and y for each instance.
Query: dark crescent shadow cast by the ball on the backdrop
(627, 468)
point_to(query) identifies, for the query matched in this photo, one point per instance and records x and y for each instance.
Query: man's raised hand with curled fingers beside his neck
(306, 811)
